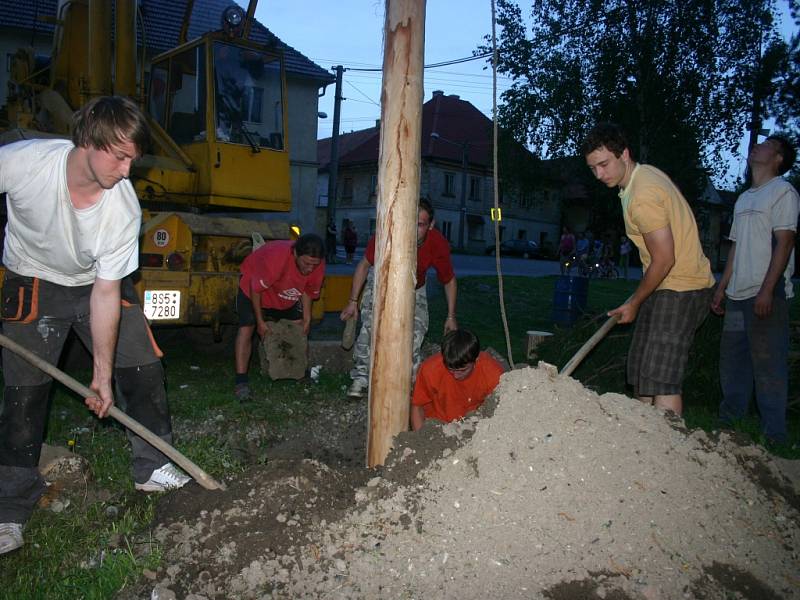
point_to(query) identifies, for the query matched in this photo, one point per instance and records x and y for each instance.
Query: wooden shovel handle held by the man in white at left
(187, 465)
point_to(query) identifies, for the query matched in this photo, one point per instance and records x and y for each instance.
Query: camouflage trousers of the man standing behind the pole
(361, 350)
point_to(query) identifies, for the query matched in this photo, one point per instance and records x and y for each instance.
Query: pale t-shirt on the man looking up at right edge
(758, 212)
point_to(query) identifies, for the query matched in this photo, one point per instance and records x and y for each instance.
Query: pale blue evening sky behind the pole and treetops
(350, 33)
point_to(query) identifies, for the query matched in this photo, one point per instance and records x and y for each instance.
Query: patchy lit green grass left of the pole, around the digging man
(100, 543)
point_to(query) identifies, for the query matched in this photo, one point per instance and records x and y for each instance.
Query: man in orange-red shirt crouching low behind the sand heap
(455, 381)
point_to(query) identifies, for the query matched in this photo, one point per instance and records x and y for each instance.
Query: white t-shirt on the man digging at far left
(47, 237)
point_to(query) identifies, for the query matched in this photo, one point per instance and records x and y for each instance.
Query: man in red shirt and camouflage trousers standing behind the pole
(433, 250)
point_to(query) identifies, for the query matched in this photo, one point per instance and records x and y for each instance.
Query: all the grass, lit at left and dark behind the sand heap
(100, 543)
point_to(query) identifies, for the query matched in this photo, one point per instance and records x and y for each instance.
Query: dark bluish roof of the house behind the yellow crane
(162, 25)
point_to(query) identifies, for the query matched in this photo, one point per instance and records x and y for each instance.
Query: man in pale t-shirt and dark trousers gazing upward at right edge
(754, 349)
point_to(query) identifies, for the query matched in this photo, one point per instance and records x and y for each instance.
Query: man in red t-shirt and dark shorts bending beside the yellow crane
(279, 281)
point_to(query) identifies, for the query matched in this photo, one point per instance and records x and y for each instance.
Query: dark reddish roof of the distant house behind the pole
(456, 121)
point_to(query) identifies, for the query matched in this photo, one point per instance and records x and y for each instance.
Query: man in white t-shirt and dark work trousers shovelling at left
(71, 239)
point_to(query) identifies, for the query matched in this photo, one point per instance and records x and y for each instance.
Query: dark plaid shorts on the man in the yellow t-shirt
(665, 328)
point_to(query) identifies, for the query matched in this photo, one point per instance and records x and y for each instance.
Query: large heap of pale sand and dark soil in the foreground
(560, 493)
